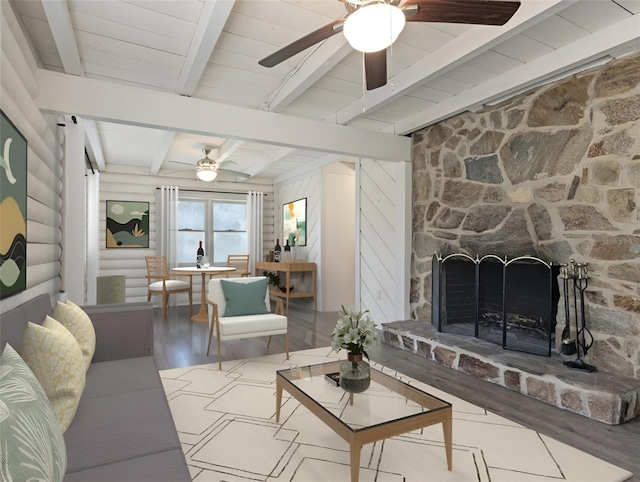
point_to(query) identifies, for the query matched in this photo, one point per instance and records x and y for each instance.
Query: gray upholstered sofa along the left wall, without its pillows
(123, 429)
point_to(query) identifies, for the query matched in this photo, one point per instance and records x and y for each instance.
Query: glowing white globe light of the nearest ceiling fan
(374, 27)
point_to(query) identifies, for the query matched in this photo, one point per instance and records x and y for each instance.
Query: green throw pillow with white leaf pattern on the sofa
(32, 446)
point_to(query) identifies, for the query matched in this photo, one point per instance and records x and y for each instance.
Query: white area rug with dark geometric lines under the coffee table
(226, 423)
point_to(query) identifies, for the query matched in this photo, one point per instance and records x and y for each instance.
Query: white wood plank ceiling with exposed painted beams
(209, 50)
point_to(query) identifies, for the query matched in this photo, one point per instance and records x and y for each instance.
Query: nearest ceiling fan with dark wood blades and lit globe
(371, 26)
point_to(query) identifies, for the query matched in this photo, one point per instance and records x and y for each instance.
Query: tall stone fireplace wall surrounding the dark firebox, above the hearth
(553, 173)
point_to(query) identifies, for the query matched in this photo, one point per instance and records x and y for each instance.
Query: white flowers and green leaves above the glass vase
(354, 332)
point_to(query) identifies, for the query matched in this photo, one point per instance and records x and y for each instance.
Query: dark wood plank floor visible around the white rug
(180, 342)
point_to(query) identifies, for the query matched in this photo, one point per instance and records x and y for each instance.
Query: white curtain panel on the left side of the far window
(167, 223)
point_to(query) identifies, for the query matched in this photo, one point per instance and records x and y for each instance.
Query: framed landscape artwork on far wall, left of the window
(127, 224)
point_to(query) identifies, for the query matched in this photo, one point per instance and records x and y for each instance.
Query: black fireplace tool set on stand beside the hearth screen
(583, 339)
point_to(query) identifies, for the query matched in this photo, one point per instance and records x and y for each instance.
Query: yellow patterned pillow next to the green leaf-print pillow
(54, 356)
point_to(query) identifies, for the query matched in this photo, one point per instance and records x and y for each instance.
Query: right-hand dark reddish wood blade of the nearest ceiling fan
(483, 12)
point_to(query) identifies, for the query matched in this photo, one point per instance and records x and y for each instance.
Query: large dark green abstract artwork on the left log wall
(13, 209)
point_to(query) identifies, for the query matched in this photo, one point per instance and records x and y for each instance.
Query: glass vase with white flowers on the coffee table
(355, 332)
